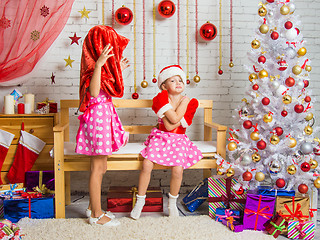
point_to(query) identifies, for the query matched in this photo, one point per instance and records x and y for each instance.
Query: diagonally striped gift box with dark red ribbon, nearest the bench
(221, 194)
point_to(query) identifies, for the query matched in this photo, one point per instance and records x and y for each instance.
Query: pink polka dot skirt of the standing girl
(100, 131)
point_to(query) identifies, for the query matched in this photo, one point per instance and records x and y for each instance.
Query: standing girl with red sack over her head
(100, 132)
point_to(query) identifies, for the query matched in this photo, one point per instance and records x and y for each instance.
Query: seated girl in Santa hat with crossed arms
(168, 144)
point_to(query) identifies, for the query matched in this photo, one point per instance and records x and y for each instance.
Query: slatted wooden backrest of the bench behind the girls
(65, 105)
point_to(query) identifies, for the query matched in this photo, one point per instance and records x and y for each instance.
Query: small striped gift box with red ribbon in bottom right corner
(301, 230)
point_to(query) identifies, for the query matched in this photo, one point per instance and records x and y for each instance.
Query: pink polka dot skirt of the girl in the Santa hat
(170, 149)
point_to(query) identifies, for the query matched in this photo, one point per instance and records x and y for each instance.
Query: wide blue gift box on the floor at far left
(18, 207)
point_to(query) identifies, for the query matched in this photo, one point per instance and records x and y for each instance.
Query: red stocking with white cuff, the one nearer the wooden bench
(27, 153)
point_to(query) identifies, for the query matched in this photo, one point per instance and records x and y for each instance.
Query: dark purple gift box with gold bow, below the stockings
(40, 181)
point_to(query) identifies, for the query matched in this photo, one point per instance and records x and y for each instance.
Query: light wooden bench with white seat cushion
(128, 157)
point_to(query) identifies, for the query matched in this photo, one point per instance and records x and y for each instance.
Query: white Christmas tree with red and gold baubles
(276, 136)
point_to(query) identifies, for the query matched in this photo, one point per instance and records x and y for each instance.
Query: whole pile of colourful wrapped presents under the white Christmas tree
(274, 211)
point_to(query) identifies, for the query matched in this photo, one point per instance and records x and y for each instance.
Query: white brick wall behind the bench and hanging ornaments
(226, 90)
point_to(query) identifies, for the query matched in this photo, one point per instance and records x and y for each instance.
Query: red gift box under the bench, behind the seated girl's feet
(122, 199)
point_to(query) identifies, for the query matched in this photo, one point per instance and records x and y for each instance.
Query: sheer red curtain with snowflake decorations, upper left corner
(27, 29)
